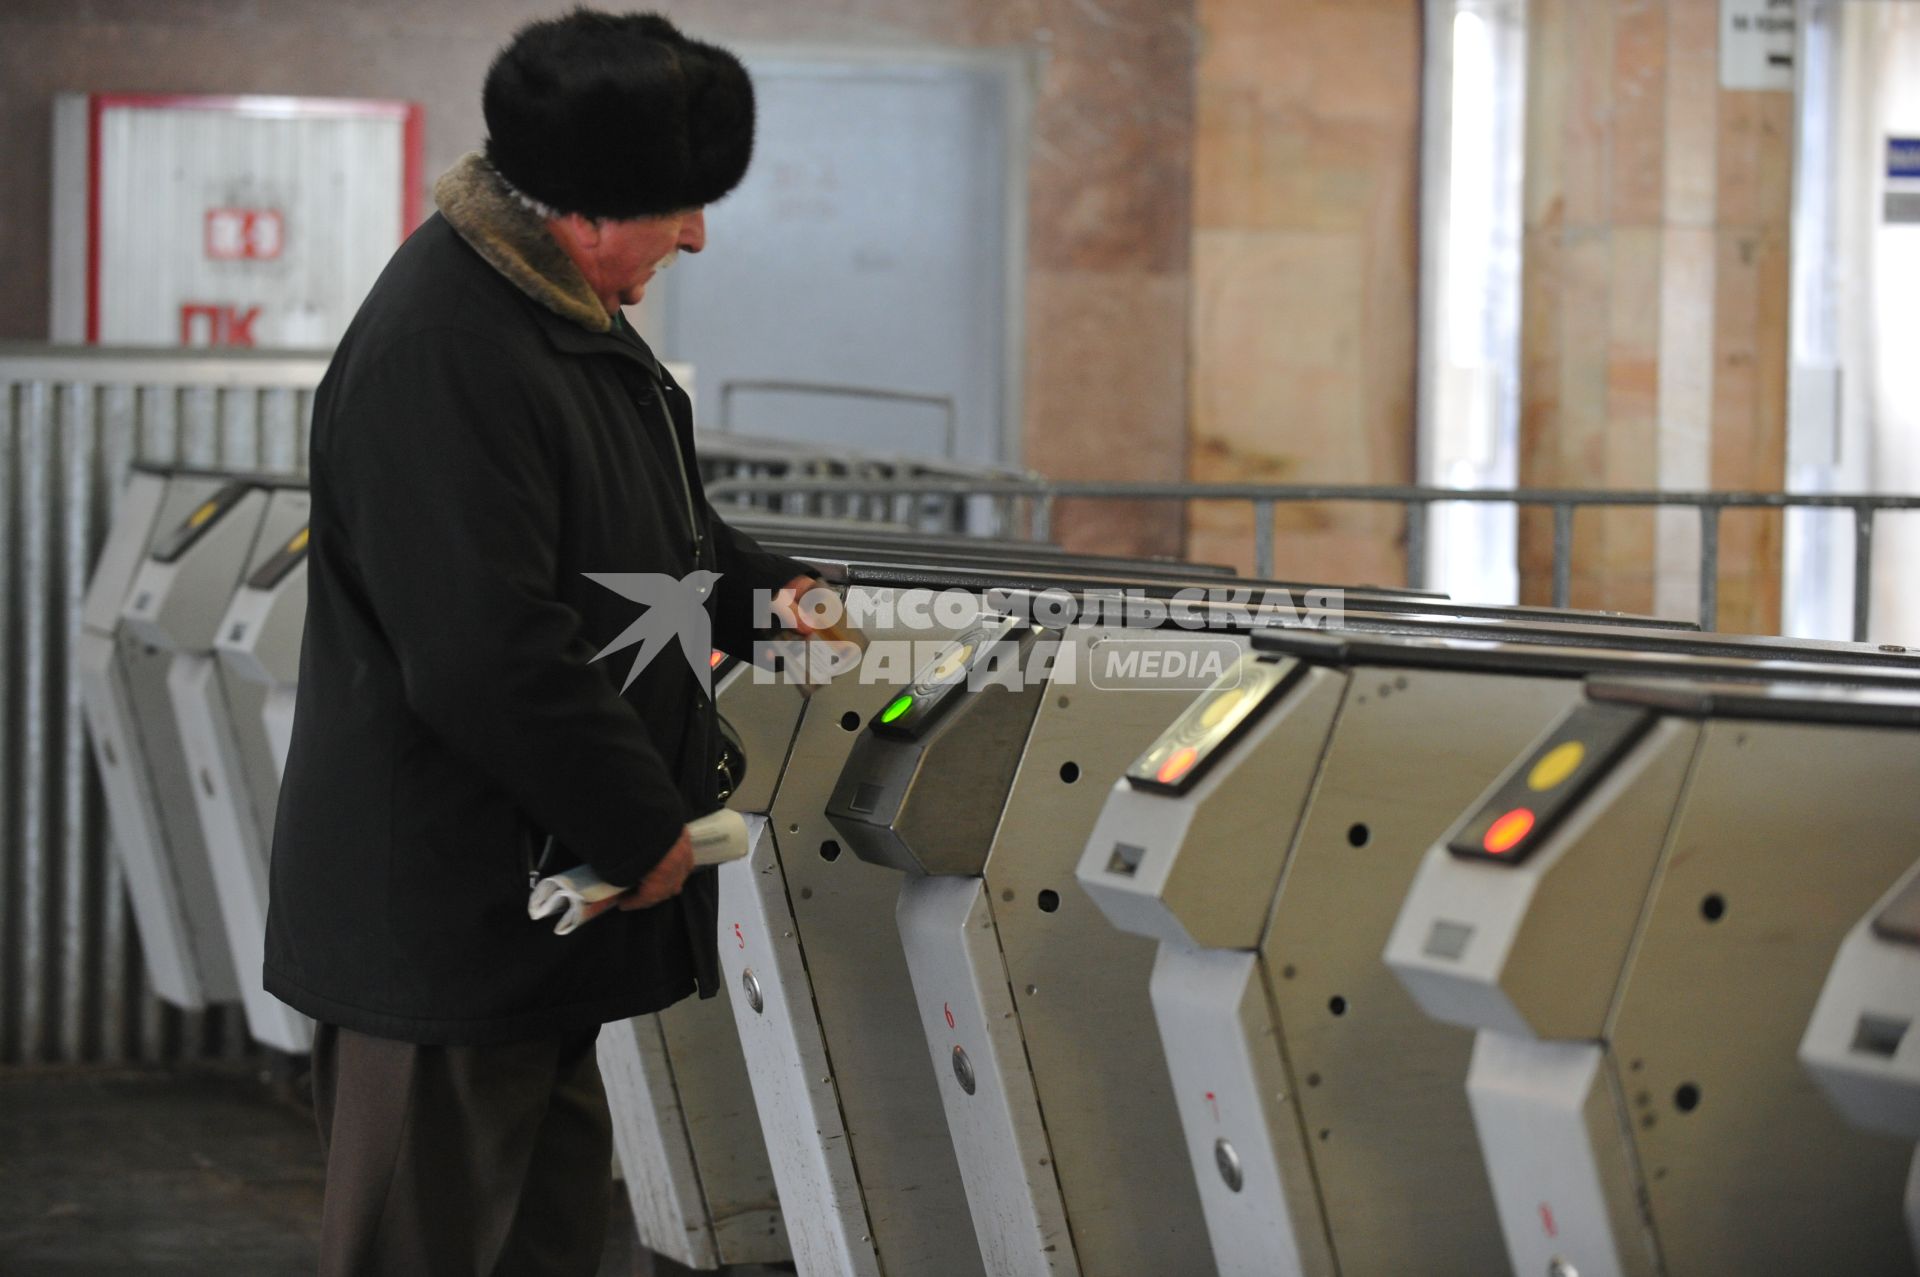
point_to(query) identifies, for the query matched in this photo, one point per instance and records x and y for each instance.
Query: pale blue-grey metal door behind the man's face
(861, 287)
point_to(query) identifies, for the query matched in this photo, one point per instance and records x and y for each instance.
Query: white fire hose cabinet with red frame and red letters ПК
(226, 220)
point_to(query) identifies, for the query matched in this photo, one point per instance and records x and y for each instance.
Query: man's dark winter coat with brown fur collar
(483, 441)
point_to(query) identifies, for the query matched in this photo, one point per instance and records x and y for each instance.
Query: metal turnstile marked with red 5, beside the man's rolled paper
(823, 1000)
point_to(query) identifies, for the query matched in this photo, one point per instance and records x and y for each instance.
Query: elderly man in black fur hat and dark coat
(492, 431)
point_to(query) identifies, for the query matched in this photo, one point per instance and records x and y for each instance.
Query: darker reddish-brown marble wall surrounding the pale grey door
(1109, 189)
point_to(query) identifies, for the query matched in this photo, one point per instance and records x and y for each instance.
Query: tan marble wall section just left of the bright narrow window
(1305, 293)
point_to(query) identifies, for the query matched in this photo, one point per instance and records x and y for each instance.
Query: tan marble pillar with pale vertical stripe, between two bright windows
(1656, 301)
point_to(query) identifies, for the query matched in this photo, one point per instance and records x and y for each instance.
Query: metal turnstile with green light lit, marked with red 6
(982, 790)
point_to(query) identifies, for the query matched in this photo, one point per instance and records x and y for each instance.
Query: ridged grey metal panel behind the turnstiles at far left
(72, 984)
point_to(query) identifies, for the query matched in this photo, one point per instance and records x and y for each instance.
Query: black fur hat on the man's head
(617, 116)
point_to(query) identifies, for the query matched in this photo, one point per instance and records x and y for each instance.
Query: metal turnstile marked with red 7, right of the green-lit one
(1268, 842)
